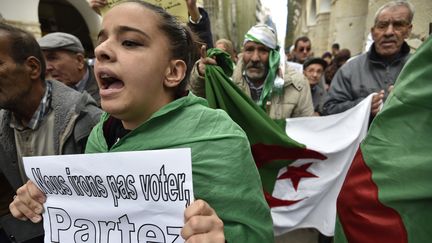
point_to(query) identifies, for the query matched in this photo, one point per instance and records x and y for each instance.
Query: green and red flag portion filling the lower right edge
(387, 194)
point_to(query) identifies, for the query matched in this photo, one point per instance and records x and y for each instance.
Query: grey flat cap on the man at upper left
(61, 41)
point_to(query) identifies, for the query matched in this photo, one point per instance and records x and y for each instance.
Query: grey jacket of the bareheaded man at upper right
(363, 75)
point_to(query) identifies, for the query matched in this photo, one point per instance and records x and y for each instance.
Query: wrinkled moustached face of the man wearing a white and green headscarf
(256, 61)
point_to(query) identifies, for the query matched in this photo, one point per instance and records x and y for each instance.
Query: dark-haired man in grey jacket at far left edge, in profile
(37, 117)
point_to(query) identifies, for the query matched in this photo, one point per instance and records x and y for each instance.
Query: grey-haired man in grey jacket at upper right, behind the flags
(377, 69)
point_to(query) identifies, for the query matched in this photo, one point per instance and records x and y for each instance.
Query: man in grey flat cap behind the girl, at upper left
(64, 56)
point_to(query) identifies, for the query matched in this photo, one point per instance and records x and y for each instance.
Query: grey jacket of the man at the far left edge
(75, 116)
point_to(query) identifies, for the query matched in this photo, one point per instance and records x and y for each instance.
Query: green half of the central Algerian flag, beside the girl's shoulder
(271, 147)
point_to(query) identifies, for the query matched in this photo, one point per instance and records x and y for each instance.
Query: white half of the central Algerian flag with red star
(315, 183)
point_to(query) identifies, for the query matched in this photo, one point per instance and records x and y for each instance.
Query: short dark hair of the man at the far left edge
(23, 45)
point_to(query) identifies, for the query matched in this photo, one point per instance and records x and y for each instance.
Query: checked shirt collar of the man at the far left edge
(39, 114)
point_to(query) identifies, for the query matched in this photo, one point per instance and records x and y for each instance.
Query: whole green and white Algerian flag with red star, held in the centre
(303, 172)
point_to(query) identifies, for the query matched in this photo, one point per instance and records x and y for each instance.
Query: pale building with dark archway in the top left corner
(45, 16)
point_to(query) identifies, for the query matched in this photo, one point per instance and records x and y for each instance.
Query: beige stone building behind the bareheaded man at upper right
(348, 22)
